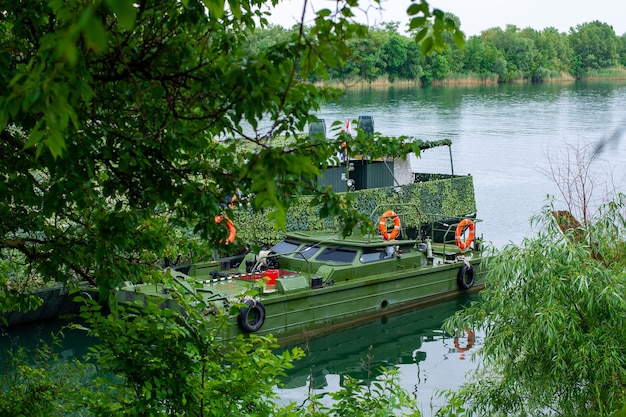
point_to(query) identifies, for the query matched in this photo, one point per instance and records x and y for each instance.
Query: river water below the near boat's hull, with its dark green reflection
(413, 342)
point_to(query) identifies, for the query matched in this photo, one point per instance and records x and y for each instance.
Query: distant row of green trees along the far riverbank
(588, 50)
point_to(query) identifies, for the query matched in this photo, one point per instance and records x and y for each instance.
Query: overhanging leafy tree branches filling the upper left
(113, 155)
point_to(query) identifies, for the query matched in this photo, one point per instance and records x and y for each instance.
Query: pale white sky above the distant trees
(478, 15)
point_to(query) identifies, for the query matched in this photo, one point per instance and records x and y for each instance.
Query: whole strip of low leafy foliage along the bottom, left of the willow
(148, 383)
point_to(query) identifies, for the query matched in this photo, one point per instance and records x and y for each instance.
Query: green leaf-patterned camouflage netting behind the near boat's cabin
(422, 202)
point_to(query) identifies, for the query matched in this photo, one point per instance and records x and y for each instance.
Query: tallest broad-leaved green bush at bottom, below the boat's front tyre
(155, 361)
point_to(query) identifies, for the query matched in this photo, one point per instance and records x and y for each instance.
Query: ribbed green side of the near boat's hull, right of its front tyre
(314, 311)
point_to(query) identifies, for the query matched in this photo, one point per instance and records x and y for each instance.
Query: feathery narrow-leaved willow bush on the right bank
(553, 312)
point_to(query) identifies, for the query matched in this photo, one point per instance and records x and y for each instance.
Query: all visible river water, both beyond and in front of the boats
(506, 137)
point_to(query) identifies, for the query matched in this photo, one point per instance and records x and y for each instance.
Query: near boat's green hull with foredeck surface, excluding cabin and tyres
(294, 309)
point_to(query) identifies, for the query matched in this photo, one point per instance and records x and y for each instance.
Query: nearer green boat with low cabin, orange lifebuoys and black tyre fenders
(318, 280)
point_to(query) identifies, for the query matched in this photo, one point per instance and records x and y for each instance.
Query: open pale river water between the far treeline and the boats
(505, 136)
